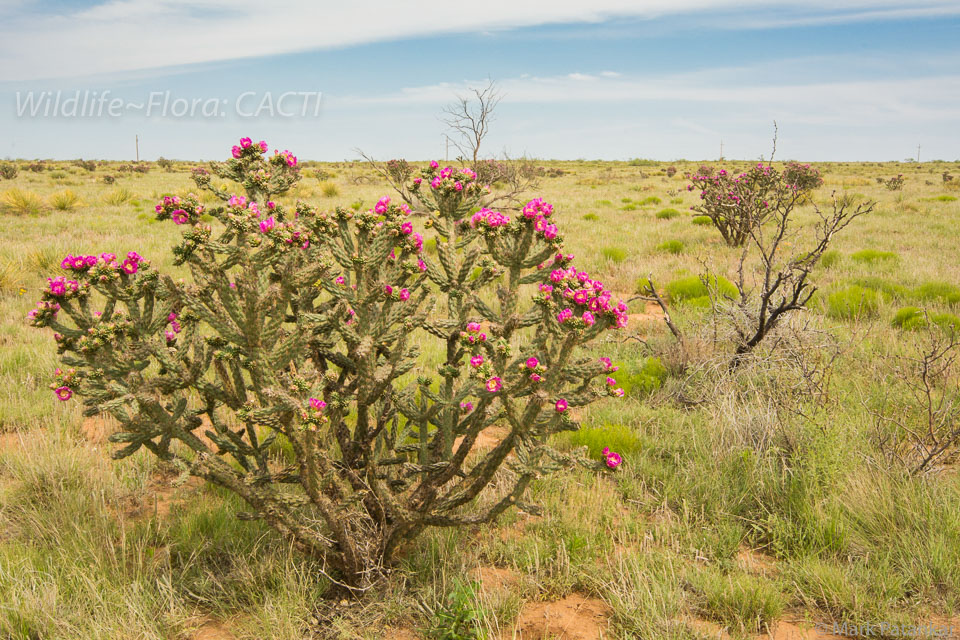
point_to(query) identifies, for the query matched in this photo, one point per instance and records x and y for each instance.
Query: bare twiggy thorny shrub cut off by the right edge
(916, 407)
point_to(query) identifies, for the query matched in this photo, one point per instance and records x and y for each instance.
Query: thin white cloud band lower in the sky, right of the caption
(844, 102)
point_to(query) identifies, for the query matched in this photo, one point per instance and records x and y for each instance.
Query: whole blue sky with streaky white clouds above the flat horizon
(664, 79)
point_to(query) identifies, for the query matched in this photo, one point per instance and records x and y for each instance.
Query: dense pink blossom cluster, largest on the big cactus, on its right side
(588, 297)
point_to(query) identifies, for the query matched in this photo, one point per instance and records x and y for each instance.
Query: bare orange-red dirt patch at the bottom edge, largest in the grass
(575, 617)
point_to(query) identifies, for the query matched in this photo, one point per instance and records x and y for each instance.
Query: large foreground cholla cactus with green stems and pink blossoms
(290, 366)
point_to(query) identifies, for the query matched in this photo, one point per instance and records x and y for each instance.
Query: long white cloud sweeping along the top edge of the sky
(126, 35)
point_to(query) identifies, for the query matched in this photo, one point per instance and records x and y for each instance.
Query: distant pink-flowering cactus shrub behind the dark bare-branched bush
(737, 204)
